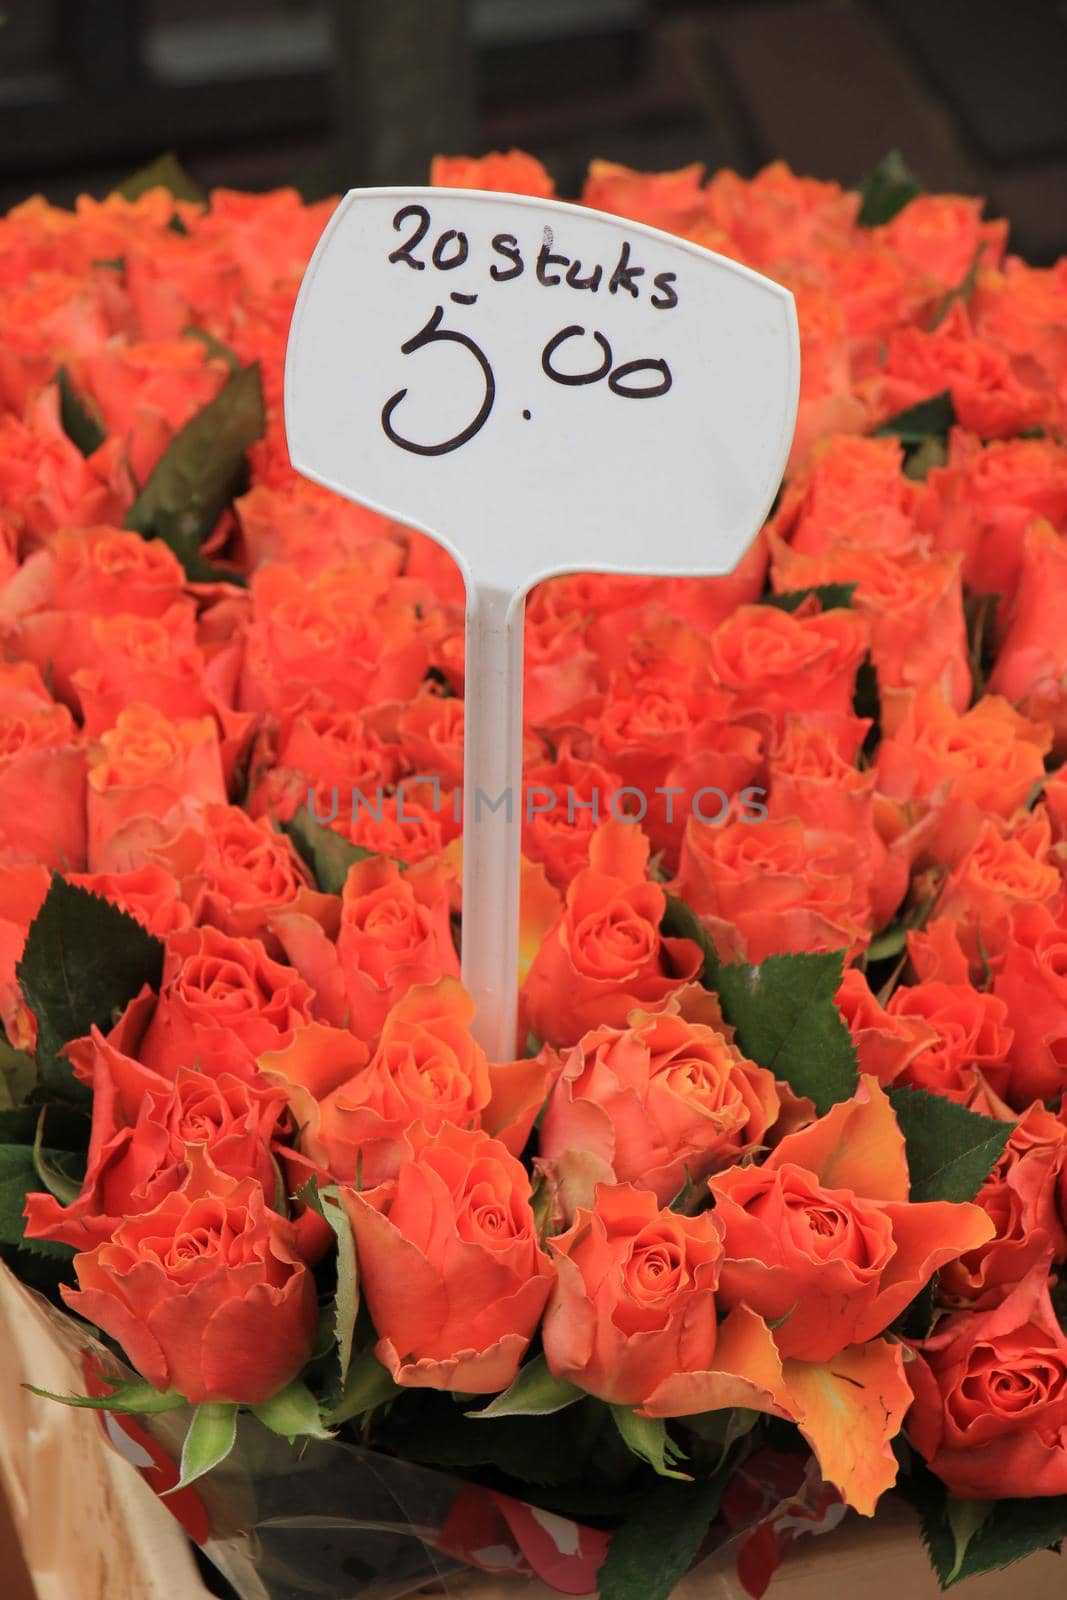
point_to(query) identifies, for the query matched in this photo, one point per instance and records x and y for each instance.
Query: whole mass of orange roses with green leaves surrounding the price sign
(770, 1204)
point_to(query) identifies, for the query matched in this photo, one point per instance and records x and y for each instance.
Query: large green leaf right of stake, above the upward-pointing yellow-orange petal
(786, 1020)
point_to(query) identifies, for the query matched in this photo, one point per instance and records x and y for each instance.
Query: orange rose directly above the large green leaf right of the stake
(762, 889)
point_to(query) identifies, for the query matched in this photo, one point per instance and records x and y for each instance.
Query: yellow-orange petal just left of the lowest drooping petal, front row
(748, 1374)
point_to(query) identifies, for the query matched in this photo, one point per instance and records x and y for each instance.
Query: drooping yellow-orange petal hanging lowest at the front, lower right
(850, 1410)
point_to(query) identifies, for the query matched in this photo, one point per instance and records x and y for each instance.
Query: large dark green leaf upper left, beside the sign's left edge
(201, 473)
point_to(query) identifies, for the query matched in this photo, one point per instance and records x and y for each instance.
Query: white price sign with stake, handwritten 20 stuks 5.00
(543, 390)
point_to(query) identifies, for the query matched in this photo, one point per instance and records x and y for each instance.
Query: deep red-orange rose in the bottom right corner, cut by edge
(991, 1398)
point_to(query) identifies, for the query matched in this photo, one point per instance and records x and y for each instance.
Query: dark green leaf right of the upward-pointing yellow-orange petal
(951, 1151)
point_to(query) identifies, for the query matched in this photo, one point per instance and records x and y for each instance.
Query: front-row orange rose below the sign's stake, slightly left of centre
(450, 1265)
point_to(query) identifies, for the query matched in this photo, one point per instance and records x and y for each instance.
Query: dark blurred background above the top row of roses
(330, 94)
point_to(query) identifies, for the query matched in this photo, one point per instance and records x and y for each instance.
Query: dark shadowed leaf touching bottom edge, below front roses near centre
(655, 1546)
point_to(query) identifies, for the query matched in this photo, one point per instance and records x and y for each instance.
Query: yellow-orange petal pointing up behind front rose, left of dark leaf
(857, 1146)
